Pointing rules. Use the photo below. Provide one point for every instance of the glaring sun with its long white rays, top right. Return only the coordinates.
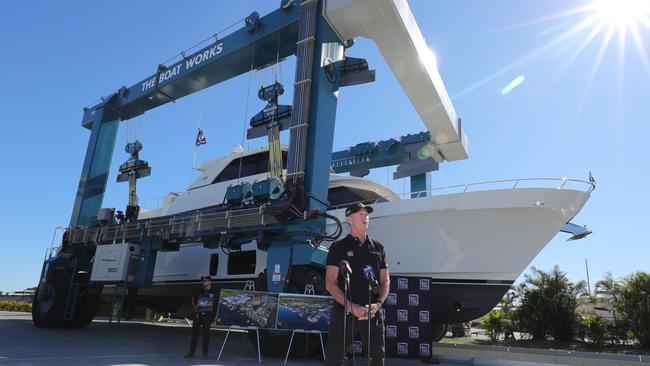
(596, 21)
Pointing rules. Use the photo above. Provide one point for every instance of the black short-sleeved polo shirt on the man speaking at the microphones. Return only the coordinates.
(370, 252)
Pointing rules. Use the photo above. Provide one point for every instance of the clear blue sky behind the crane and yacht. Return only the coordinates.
(573, 113)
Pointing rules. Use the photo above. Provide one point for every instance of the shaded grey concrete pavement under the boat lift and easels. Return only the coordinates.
(130, 343)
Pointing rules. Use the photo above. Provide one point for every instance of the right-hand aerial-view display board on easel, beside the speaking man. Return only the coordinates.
(306, 312)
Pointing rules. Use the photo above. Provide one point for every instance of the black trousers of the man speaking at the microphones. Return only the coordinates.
(336, 345)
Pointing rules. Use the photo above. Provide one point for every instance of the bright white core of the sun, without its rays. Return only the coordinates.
(622, 13)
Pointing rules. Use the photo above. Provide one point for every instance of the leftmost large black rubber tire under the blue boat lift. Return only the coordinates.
(47, 308)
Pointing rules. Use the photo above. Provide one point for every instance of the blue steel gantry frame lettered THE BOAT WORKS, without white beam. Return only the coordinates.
(321, 68)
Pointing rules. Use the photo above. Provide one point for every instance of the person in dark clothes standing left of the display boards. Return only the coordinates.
(204, 302)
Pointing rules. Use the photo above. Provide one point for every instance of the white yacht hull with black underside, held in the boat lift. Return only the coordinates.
(471, 246)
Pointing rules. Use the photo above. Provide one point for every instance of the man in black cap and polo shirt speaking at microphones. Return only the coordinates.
(360, 251)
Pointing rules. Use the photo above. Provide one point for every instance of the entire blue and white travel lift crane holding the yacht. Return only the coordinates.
(286, 215)
